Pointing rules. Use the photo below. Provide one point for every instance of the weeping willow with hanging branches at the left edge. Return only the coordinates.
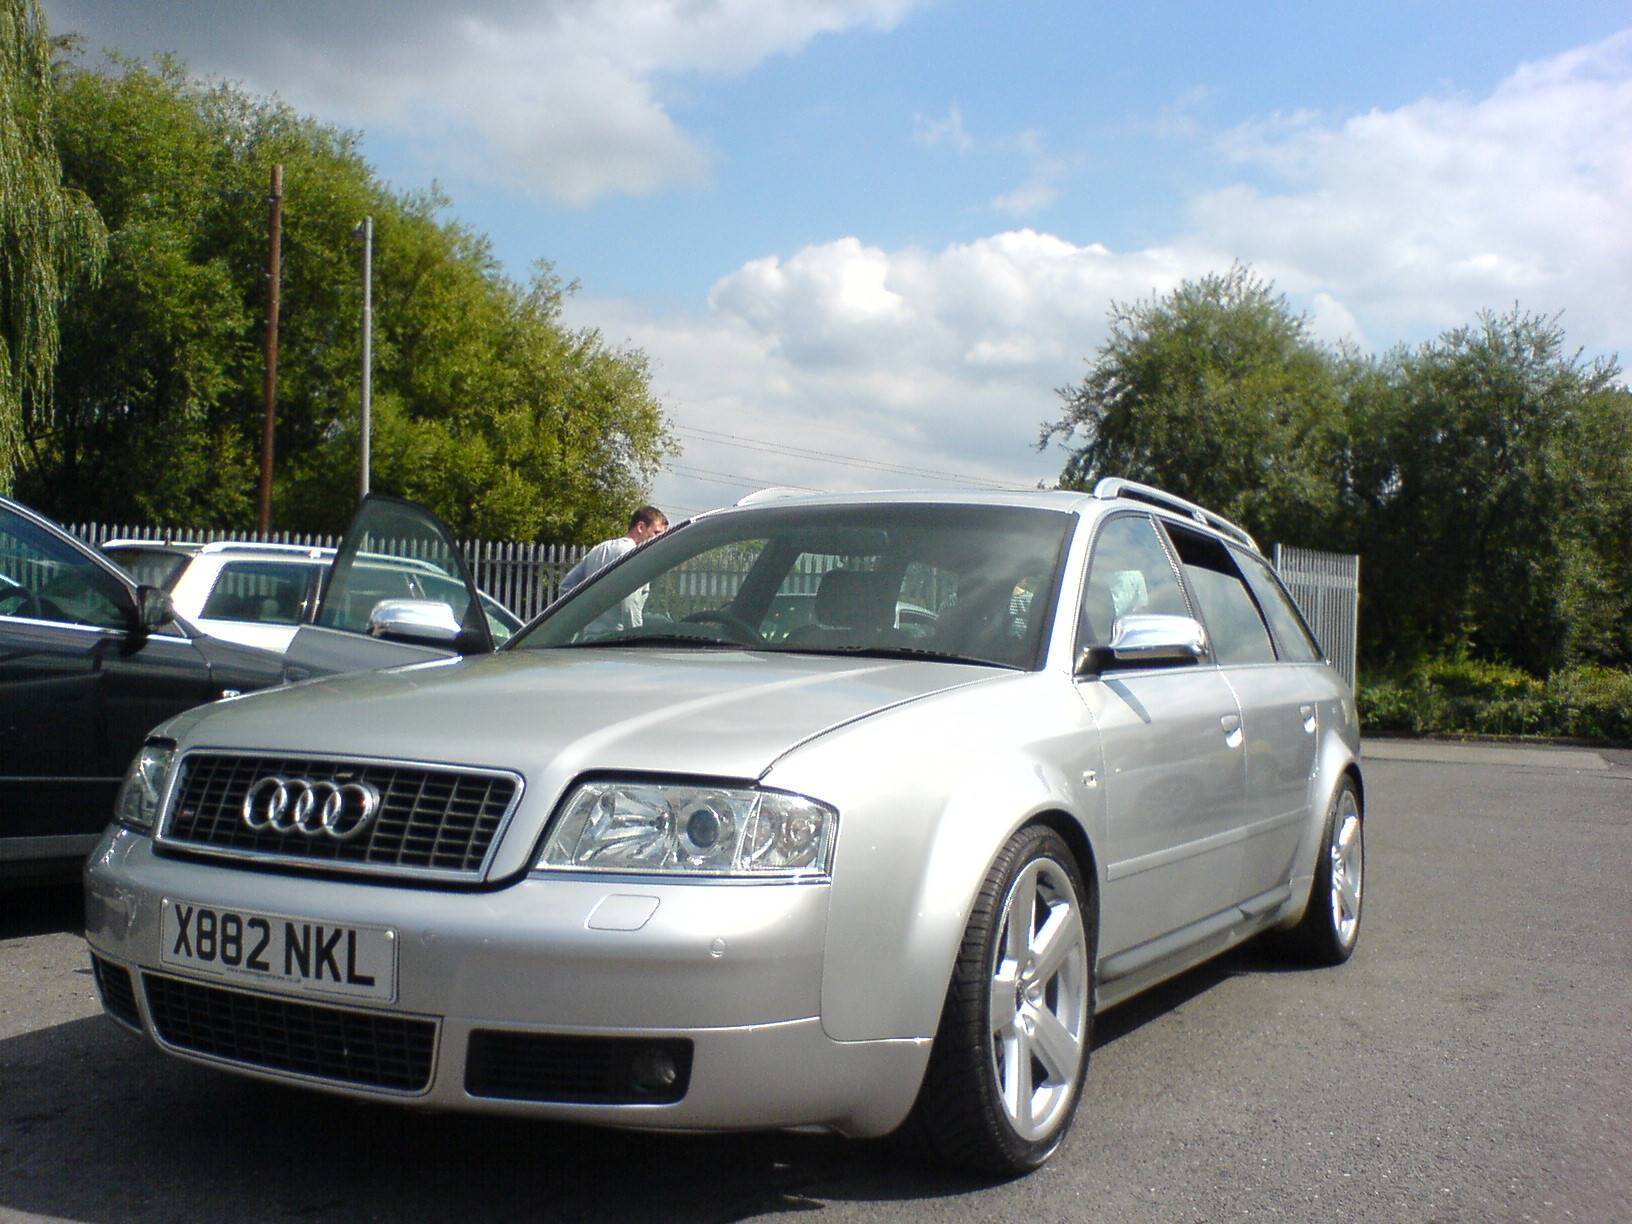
(50, 236)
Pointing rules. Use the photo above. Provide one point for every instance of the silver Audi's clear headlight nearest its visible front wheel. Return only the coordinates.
(678, 830)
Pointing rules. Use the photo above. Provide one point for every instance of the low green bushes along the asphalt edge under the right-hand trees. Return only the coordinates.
(1475, 698)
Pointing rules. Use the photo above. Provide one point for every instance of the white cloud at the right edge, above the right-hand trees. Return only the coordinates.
(1417, 218)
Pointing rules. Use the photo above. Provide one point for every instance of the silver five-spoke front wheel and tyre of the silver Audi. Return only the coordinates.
(1006, 1071)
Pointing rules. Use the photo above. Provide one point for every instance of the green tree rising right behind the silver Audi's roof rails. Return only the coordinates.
(1215, 392)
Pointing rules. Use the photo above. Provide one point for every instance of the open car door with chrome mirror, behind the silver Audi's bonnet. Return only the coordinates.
(399, 593)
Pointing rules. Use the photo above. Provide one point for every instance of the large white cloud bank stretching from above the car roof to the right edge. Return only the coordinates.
(1386, 226)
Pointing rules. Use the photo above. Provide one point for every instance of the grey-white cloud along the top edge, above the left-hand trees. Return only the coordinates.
(562, 99)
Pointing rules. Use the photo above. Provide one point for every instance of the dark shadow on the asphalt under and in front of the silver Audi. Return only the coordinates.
(95, 1125)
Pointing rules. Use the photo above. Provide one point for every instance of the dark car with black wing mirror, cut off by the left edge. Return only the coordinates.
(89, 662)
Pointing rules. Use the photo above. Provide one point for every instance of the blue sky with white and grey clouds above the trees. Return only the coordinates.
(864, 242)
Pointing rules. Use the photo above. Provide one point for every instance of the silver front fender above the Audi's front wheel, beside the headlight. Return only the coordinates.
(928, 797)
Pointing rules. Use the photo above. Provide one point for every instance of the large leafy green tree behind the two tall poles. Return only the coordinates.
(477, 383)
